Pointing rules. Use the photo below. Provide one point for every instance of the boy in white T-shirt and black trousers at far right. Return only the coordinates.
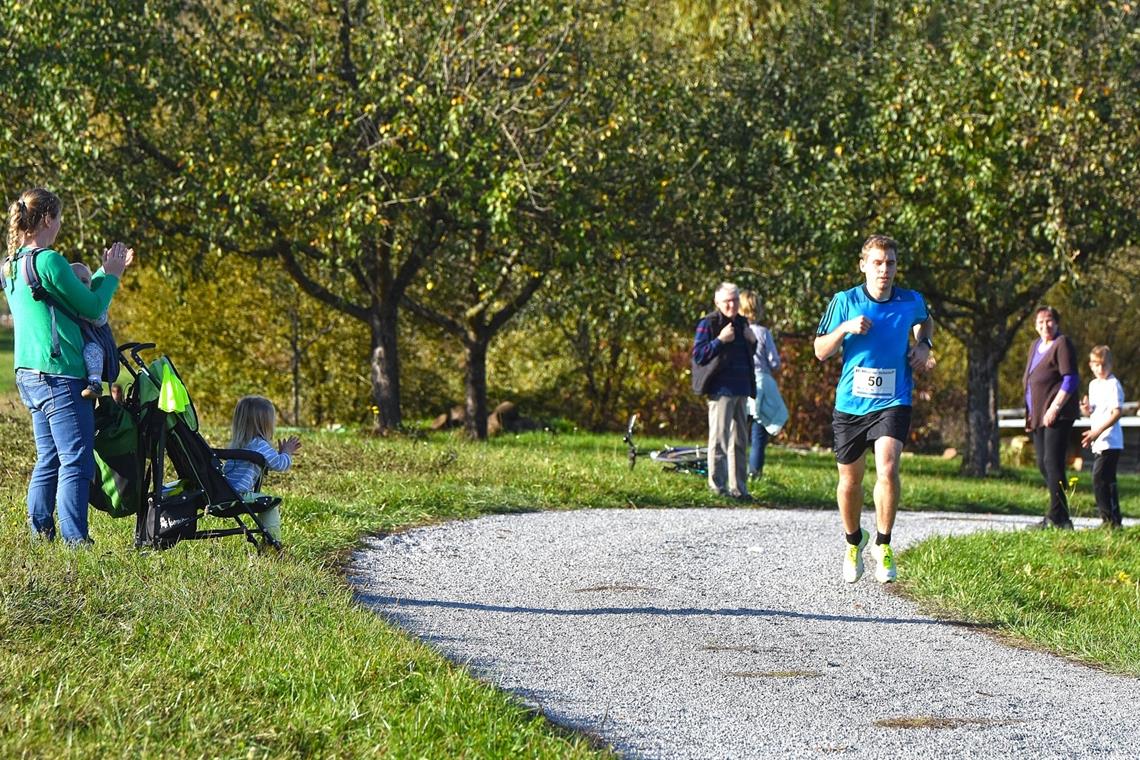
(1104, 404)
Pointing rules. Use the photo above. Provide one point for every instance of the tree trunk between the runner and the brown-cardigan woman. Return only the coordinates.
(982, 453)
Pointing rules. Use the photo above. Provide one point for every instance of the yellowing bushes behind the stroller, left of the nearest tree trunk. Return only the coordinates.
(248, 330)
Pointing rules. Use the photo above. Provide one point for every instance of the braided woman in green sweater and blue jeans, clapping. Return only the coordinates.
(50, 361)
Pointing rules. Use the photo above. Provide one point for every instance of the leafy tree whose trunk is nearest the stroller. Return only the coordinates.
(351, 146)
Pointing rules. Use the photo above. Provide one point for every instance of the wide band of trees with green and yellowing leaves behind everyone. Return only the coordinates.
(626, 156)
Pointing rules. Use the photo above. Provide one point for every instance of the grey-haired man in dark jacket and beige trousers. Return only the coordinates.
(723, 371)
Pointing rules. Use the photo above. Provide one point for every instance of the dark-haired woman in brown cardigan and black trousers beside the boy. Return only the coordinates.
(1052, 407)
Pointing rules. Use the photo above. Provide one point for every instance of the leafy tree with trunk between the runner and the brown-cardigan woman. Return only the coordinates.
(997, 151)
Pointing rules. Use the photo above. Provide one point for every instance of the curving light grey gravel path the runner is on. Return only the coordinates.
(729, 634)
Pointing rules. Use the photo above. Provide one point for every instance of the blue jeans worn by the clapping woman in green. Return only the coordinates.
(63, 423)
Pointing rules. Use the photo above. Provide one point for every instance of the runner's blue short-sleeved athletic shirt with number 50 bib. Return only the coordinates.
(876, 372)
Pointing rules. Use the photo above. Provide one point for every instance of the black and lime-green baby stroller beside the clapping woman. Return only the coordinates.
(168, 512)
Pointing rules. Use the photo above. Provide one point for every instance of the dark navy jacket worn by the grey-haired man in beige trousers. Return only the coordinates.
(723, 369)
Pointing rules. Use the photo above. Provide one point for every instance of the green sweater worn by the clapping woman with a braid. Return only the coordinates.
(34, 322)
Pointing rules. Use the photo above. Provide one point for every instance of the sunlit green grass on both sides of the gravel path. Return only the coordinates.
(213, 650)
